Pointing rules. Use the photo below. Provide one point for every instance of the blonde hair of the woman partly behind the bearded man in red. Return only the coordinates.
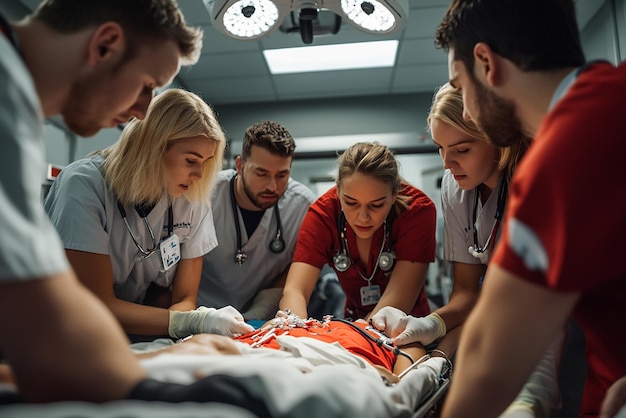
(447, 107)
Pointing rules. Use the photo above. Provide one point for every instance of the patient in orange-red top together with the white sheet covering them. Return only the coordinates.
(294, 366)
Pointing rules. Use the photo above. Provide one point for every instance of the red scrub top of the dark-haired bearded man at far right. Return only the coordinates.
(559, 236)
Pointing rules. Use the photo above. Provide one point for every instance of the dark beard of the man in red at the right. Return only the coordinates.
(497, 118)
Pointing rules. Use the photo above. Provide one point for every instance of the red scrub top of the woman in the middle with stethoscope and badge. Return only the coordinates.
(412, 238)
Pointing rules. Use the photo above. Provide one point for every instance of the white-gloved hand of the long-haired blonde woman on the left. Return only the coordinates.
(225, 321)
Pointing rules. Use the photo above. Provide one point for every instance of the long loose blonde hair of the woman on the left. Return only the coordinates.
(134, 166)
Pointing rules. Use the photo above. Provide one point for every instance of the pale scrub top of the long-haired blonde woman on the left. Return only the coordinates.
(84, 210)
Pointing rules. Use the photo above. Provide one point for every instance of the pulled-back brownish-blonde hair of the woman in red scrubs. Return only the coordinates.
(375, 160)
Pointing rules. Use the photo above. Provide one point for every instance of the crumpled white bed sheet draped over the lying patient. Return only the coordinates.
(308, 378)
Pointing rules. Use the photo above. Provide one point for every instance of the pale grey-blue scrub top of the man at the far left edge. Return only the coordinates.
(29, 245)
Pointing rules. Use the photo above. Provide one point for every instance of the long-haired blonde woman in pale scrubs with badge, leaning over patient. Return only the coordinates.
(135, 219)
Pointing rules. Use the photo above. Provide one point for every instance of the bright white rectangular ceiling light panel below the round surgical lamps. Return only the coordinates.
(376, 54)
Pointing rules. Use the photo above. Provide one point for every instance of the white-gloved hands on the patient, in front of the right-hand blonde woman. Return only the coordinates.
(405, 329)
